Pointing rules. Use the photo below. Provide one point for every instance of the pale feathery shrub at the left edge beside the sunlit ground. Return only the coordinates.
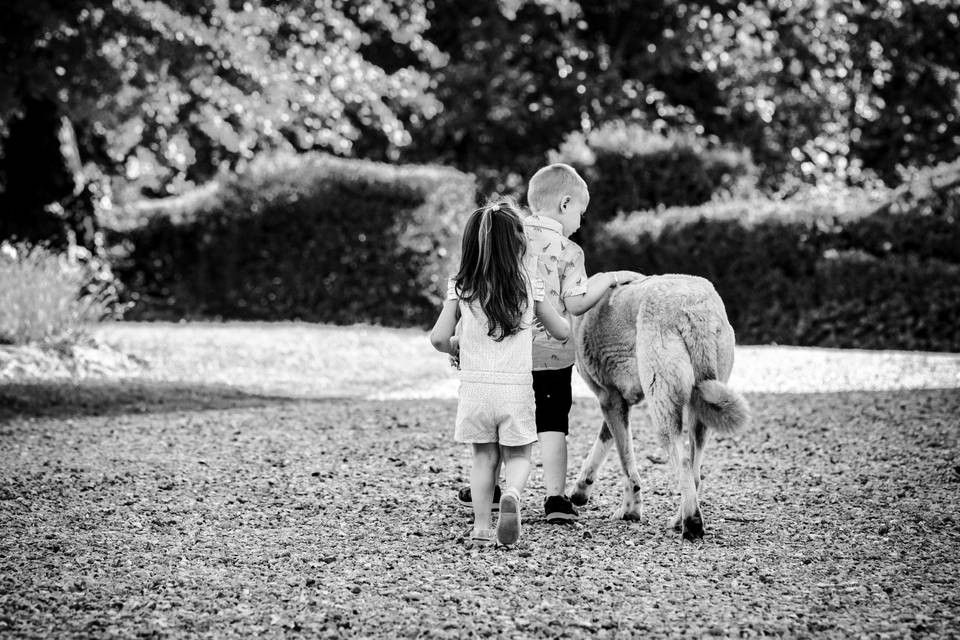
(47, 297)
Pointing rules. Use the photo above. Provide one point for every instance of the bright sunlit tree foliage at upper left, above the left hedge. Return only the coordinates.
(166, 92)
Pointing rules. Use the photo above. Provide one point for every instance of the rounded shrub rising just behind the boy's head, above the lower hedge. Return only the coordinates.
(629, 168)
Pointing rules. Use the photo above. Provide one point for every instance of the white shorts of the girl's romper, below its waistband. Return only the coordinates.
(502, 413)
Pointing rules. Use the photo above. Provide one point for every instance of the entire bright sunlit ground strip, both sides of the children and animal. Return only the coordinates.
(302, 360)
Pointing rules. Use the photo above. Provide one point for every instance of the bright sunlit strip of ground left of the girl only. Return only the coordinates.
(298, 360)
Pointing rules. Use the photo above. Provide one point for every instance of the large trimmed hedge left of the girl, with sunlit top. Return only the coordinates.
(313, 237)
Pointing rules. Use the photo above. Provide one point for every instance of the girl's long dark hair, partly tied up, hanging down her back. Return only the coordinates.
(491, 269)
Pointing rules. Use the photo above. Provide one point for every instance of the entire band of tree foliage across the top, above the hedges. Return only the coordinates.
(163, 93)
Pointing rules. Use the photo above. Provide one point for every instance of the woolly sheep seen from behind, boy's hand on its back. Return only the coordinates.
(666, 339)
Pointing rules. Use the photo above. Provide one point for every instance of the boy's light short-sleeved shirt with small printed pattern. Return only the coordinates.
(561, 267)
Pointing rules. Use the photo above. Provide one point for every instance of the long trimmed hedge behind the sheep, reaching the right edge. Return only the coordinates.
(817, 270)
